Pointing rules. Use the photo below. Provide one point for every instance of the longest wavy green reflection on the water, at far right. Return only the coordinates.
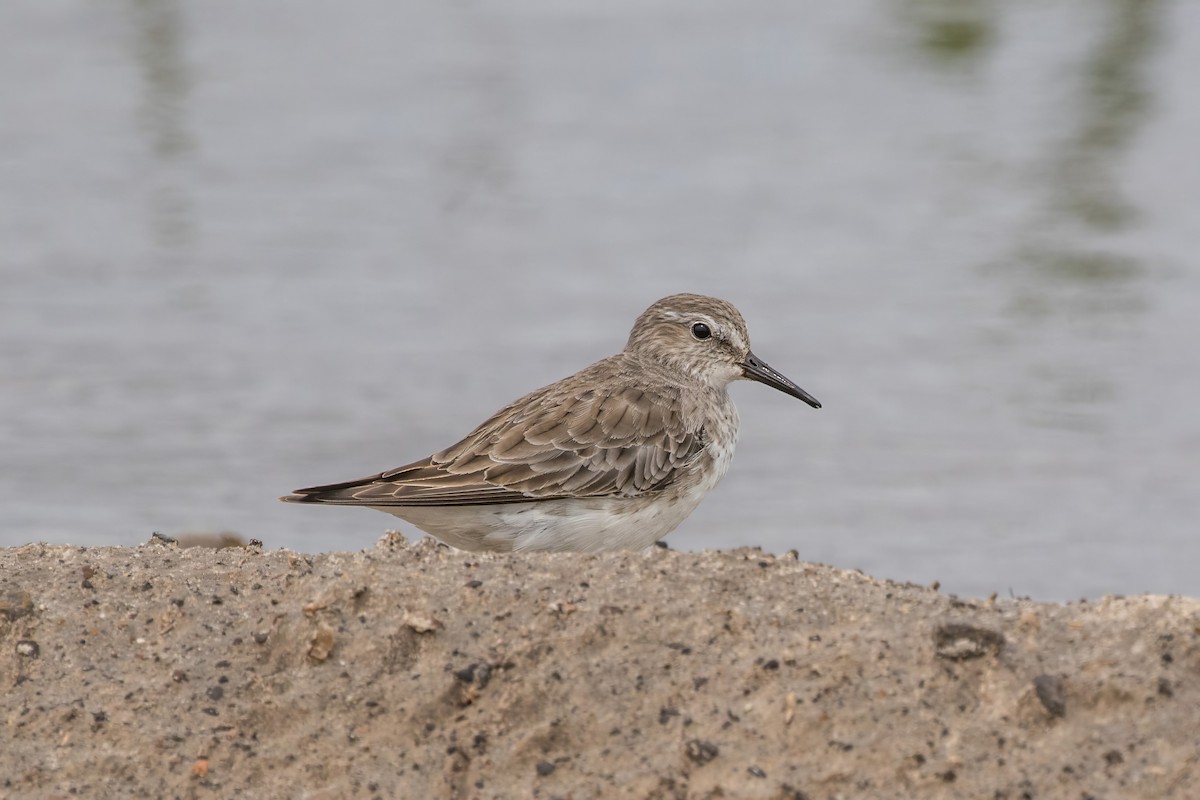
(1075, 290)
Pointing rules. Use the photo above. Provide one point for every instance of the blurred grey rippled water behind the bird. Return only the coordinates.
(253, 246)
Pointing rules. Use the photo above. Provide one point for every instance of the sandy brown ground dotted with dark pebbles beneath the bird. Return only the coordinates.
(412, 671)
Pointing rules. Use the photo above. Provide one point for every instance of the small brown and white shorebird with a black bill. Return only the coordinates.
(614, 458)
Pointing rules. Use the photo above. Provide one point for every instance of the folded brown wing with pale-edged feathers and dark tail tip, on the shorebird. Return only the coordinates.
(578, 438)
